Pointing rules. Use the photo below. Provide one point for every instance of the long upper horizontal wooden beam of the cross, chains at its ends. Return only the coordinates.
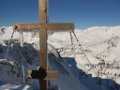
(48, 26)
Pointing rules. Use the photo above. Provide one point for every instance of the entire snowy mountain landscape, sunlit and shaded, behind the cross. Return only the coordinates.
(96, 53)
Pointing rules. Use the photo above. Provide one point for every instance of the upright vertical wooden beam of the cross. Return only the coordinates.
(43, 40)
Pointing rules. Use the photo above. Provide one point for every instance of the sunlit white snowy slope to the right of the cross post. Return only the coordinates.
(100, 47)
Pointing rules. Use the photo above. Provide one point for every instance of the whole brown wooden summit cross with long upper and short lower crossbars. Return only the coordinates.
(43, 27)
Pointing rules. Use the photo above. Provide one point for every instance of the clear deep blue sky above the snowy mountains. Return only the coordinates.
(83, 13)
